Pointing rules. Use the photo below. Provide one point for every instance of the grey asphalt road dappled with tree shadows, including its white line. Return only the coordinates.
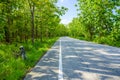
(72, 59)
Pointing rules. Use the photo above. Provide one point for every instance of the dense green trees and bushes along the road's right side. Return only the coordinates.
(98, 21)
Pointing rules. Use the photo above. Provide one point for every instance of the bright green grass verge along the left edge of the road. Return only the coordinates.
(12, 67)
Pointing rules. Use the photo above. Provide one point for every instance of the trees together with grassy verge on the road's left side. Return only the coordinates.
(33, 24)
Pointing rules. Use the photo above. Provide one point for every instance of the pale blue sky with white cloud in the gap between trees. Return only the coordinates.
(72, 10)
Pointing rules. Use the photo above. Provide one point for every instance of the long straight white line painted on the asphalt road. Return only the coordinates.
(60, 76)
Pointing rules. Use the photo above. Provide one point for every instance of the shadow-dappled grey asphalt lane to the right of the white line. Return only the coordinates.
(90, 60)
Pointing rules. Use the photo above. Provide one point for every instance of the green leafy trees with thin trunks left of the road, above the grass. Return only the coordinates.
(21, 20)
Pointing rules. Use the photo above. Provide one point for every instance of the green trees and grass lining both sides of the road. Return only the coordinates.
(35, 24)
